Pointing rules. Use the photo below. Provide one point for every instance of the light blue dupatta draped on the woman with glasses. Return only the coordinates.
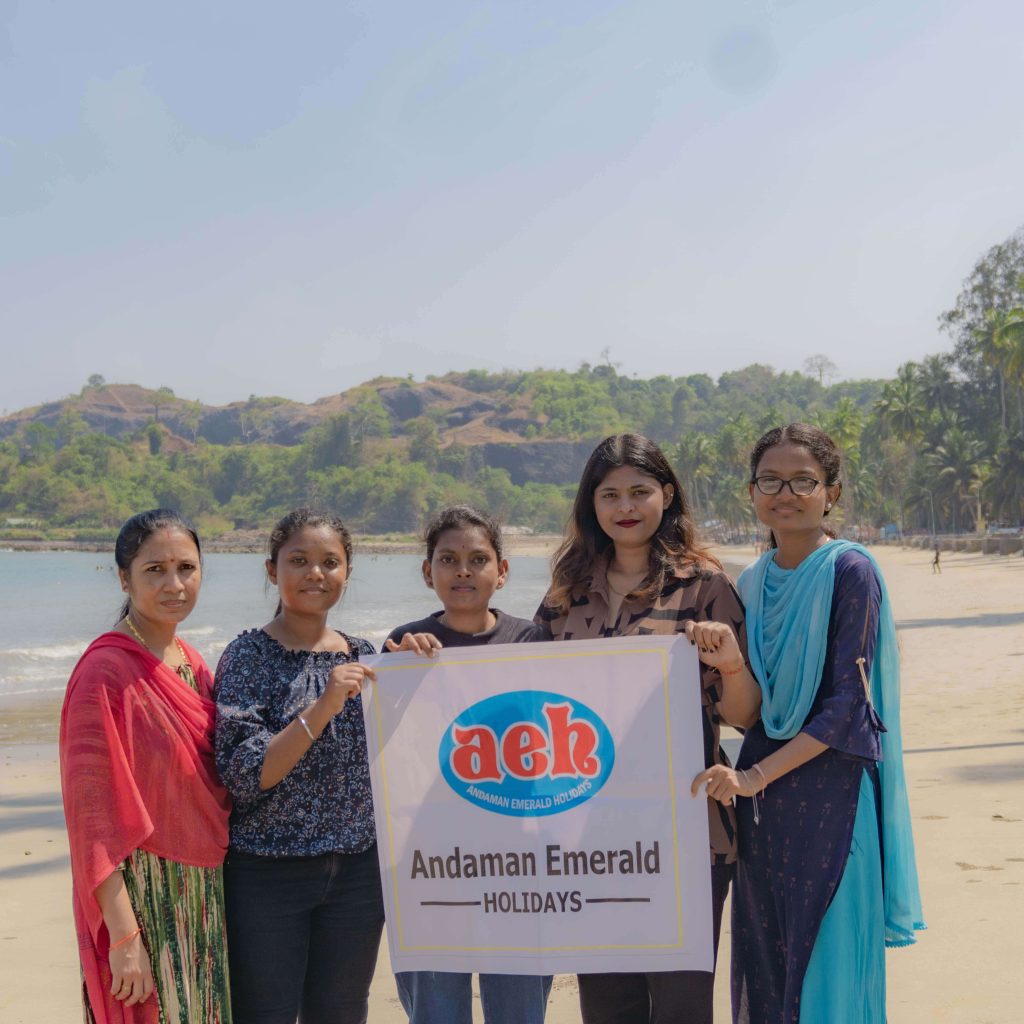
(788, 634)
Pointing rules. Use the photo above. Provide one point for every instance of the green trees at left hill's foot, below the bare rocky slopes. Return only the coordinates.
(84, 480)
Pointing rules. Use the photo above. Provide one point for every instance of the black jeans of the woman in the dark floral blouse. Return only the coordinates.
(303, 936)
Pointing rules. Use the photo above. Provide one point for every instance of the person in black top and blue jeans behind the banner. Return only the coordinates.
(465, 567)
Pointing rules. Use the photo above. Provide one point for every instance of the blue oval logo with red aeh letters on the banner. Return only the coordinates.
(528, 753)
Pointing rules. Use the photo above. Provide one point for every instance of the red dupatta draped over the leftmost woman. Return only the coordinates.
(138, 772)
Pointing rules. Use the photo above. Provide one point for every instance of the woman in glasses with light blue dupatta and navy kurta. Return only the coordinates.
(816, 902)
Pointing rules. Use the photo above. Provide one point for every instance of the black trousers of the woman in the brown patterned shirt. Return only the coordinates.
(662, 997)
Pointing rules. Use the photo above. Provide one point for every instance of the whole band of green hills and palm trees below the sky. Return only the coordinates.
(941, 447)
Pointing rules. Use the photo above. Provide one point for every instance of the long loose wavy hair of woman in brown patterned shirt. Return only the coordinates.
(674, 541)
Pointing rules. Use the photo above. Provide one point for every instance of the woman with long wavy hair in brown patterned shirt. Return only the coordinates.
(630, 566)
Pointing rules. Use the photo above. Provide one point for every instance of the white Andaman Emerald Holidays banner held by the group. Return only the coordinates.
(534, 809)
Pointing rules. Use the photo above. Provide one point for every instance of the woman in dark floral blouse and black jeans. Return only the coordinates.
(303, 885)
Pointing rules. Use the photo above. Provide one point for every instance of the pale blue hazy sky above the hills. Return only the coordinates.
(253, 198)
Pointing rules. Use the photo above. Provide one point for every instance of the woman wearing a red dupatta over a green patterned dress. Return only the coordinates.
(147, 815)
